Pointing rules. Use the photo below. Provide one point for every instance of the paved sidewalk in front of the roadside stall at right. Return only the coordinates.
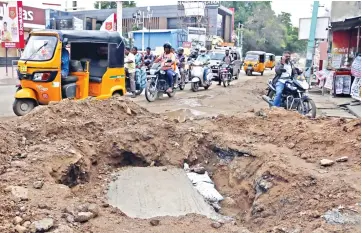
(335, 107)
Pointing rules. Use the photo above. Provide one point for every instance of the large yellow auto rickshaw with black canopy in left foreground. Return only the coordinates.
(96, 67)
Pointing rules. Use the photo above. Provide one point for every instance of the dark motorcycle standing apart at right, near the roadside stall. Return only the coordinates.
(294, 96)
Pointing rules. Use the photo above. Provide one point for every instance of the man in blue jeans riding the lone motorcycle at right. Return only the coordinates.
(284, 71)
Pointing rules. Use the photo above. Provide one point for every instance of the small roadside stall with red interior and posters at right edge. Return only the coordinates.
(344, 59)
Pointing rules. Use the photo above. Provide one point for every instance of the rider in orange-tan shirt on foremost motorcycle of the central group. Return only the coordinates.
(167, 66)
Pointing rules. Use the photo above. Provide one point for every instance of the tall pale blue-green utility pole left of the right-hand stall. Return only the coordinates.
(311, 41)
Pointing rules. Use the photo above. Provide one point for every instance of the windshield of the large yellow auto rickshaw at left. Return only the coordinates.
(39, 48)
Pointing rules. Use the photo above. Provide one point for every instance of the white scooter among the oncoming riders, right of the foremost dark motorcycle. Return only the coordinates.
(197, 76)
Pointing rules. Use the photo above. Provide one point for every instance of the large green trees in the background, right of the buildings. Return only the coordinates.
(263, 30)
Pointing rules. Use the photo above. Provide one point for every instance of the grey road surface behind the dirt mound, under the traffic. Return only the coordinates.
(242, 95)
